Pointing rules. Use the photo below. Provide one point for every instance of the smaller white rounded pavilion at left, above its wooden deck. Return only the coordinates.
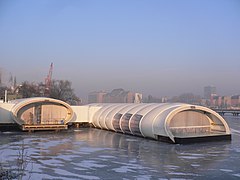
(41, 110)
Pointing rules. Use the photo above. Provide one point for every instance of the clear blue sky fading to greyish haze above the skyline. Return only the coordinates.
(156, 47)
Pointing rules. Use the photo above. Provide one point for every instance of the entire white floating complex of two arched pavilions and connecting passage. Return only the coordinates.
(173, 122)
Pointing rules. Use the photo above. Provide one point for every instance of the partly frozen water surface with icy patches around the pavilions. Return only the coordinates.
(99, 154)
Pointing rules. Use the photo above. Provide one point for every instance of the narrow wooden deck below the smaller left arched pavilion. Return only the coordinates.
(42, 127)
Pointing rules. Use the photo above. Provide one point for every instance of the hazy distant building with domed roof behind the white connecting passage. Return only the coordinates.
(115, 96)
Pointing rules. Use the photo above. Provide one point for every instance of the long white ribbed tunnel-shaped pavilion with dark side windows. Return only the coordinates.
(160, 121)
